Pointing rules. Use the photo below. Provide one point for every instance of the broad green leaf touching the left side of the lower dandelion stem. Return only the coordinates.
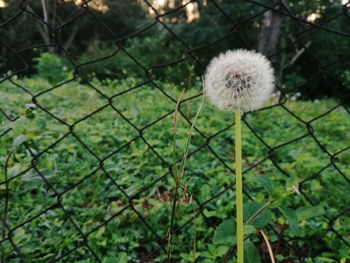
(226, 233)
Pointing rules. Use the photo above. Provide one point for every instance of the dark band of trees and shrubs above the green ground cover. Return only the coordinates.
(312, 60)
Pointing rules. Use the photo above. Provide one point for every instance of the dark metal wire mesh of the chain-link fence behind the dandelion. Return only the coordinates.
(159, 243)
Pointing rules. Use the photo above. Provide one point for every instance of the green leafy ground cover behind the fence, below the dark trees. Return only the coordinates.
(94, 199)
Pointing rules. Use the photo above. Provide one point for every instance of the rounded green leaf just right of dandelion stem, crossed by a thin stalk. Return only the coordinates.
(260, 220)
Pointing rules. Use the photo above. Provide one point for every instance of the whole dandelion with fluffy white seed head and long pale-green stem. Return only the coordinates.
(239, 81)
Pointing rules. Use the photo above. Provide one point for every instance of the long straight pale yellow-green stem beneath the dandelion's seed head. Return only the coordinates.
(239, 187)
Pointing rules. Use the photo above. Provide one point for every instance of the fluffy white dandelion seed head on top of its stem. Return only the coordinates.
(239, 80)
